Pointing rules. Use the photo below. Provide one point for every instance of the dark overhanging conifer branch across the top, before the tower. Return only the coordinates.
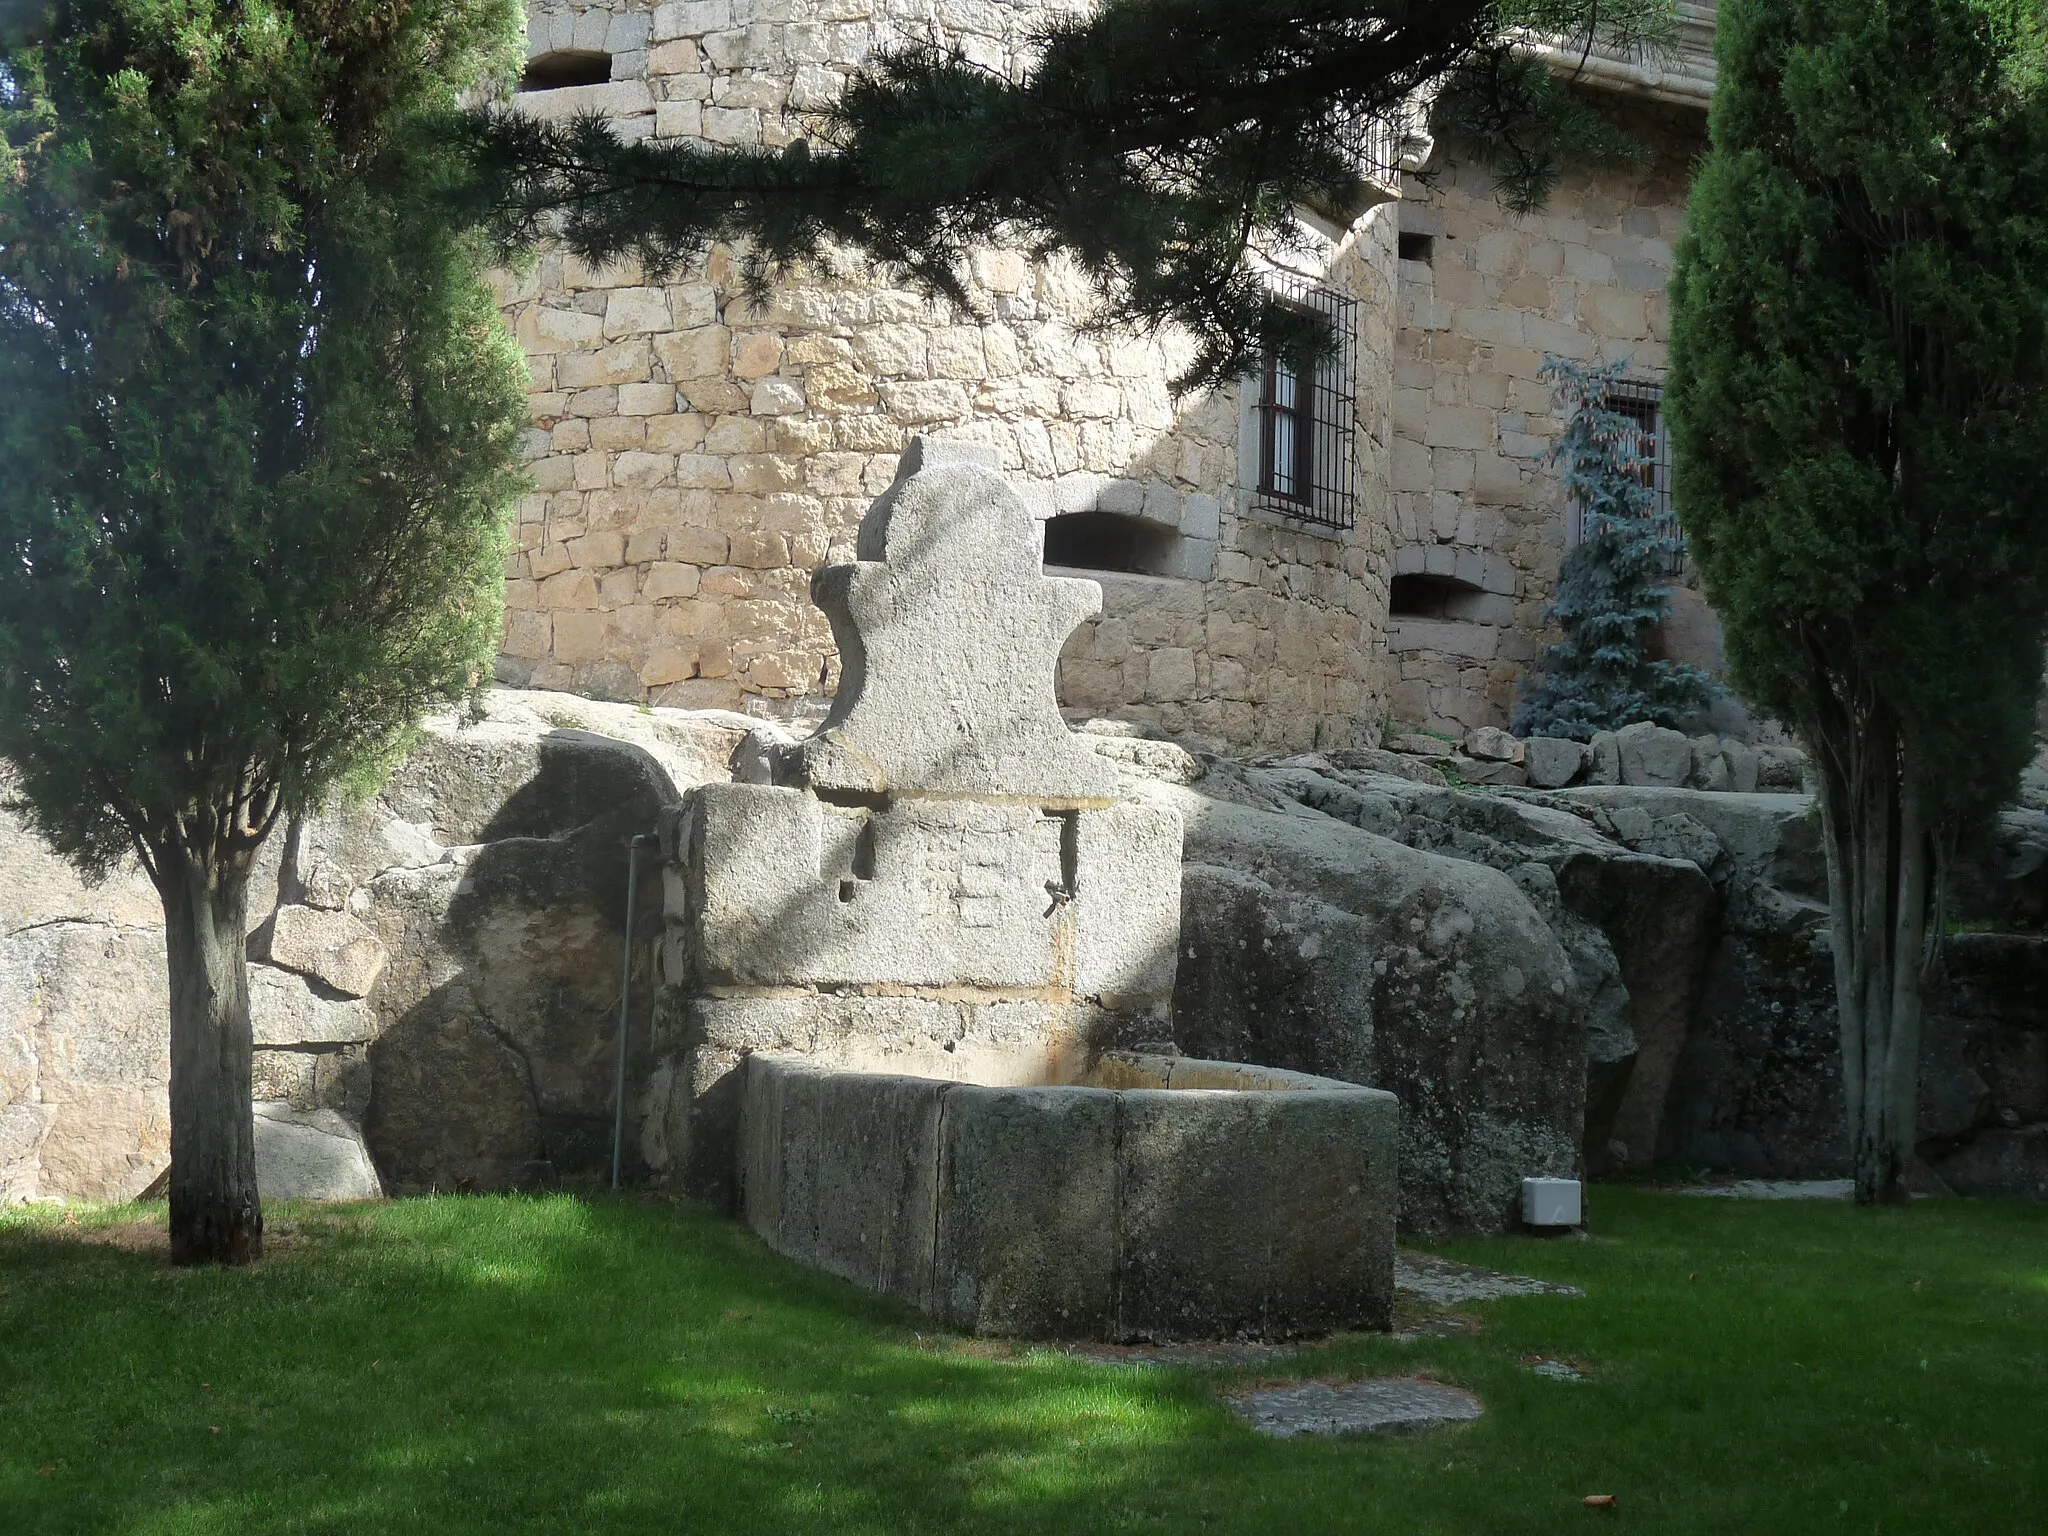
(1152, 142)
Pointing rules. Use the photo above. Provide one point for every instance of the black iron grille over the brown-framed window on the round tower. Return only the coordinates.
(1308, 425)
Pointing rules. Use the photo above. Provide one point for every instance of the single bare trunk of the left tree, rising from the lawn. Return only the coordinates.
(214, 1209)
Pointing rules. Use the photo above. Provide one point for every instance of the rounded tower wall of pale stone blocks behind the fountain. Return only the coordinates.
(695, 458)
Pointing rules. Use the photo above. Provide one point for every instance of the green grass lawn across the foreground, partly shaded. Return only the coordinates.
(490, 1365)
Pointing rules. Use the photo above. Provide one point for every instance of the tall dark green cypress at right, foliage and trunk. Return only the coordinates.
(1859, 386)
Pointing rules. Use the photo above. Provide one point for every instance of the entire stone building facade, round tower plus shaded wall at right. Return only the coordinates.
(1285, 564)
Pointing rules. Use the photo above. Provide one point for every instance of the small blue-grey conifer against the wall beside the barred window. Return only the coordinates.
(1613, 587)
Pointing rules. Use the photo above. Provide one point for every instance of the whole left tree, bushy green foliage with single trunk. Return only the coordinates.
(259, 435)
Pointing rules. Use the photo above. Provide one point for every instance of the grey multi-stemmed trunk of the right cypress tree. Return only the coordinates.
(1879, 876)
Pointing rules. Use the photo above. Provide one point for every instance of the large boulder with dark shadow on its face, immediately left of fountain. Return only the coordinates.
(495, 869)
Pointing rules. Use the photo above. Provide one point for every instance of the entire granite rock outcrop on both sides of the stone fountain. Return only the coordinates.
(1549, 980)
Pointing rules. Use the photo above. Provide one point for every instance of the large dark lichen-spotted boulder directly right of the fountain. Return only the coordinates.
(1326, 949)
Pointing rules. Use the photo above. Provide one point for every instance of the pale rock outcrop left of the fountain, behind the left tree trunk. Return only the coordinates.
(435, 972)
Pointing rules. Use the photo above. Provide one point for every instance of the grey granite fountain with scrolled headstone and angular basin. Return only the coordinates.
(921, 974)
